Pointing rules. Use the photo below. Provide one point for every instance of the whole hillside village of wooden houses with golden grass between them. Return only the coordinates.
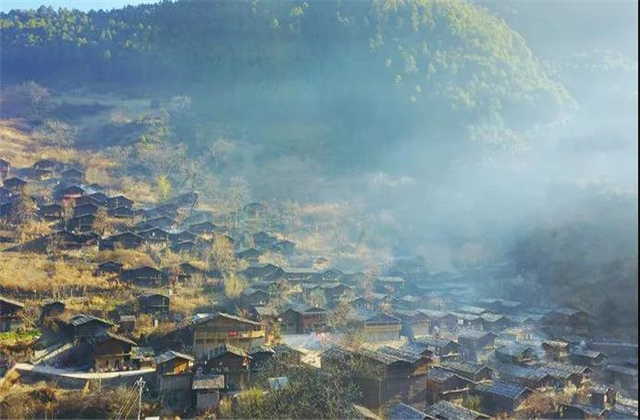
(417, 345)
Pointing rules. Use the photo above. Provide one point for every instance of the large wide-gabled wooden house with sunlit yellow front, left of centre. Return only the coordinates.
(212, 331)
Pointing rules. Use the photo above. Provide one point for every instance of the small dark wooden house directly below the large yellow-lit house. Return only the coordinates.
(232, 362)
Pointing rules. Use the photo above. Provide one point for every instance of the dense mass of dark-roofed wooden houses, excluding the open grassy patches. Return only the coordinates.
(428, 344)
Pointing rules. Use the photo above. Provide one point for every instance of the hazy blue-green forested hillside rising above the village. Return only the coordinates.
(373, 71)
